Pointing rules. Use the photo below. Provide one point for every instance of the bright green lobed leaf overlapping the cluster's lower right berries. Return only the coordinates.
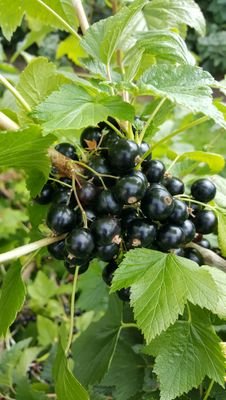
(161, 284)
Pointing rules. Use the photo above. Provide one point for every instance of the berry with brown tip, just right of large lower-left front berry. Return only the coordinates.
(106, 230)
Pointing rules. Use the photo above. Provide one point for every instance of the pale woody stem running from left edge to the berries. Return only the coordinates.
(28, 248)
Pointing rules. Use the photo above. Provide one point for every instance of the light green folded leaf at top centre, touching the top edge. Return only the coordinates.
(104, 37)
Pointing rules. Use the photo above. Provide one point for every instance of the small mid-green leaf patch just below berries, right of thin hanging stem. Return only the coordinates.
(94, 295)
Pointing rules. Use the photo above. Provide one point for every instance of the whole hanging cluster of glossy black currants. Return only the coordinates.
(125, 201)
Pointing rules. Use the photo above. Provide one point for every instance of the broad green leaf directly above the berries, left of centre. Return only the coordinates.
(73, 107)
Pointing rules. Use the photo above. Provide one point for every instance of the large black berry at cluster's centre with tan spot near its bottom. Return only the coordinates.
(130, 189)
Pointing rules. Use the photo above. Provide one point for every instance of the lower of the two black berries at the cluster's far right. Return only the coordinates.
(205, 222)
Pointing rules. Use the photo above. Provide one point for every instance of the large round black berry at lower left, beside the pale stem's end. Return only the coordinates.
(80, 243)
